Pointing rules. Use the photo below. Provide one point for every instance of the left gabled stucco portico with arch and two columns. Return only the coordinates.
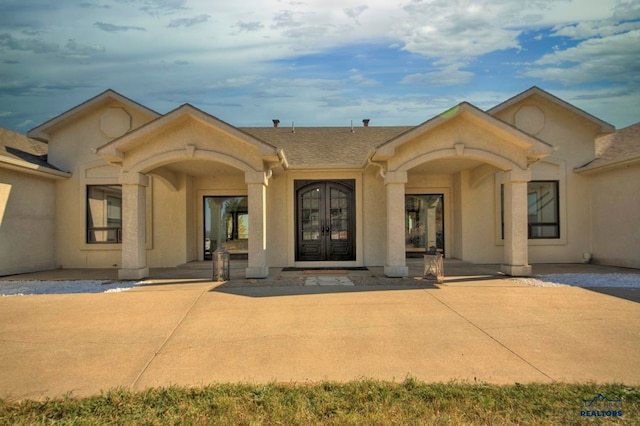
(177, 149)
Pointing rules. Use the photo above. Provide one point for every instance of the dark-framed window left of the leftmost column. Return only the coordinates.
(104, 214)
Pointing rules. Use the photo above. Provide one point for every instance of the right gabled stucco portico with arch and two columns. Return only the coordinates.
(466, 145)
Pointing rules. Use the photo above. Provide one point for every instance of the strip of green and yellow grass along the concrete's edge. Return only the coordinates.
(364, 402)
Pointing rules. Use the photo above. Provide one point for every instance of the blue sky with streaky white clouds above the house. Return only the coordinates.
(317, 62)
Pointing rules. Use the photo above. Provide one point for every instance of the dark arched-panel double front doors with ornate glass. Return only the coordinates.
(325, 223)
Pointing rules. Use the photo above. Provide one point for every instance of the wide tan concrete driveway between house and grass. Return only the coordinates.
(190, 331)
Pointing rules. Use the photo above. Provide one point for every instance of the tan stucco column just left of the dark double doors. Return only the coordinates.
(257, 197)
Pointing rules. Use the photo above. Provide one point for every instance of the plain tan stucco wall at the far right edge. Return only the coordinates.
(615, 208)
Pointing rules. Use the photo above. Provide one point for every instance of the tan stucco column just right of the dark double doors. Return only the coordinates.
(396, 265)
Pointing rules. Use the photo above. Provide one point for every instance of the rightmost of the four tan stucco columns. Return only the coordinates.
(516, 244)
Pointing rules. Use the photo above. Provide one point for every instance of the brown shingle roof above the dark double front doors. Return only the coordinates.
(331, 147)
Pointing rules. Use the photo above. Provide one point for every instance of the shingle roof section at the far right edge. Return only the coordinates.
(618, 147)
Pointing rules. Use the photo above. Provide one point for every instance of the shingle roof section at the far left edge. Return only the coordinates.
(15, 146)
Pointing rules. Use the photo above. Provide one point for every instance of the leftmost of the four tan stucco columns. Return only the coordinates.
(134, 247)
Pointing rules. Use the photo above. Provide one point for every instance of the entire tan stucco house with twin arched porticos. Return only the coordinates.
(112, 183)
